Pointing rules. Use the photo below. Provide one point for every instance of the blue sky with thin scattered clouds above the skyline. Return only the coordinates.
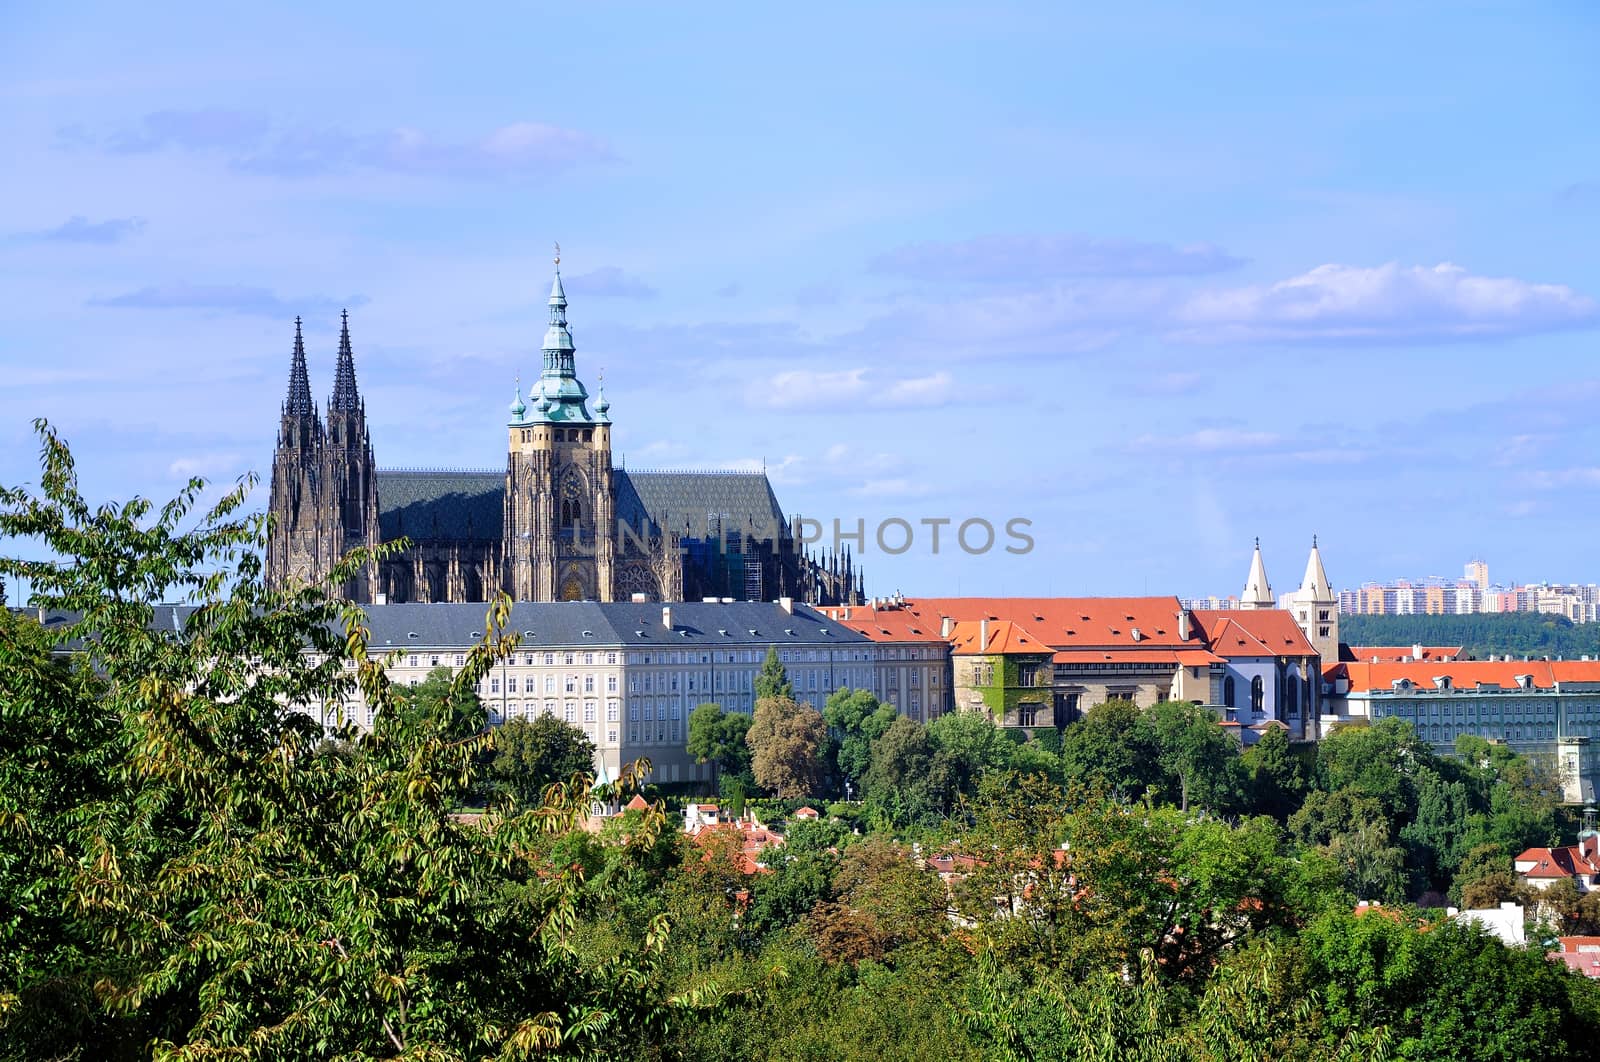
(1154, 279)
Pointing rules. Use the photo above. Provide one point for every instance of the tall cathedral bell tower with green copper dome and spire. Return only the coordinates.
(561, 506)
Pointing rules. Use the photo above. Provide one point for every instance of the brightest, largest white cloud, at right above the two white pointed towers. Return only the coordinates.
(1383, 303)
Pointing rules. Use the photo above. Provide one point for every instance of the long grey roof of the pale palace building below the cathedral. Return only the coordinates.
(614, 625)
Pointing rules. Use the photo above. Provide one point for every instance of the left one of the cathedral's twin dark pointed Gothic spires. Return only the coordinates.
(295, 545)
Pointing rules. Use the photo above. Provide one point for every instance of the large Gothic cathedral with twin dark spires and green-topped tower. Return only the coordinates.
(561, 524)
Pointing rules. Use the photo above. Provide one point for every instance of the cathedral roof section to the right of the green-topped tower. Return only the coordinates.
(684, 501)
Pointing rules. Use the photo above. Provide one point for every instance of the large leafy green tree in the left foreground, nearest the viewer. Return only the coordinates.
(233, 890)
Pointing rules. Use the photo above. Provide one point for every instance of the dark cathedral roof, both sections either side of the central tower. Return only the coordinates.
(471, 506)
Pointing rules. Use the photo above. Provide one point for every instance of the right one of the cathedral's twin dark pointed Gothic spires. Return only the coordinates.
(350, 481)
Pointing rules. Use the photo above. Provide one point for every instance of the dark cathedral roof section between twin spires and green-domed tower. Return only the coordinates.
(468, 506)
